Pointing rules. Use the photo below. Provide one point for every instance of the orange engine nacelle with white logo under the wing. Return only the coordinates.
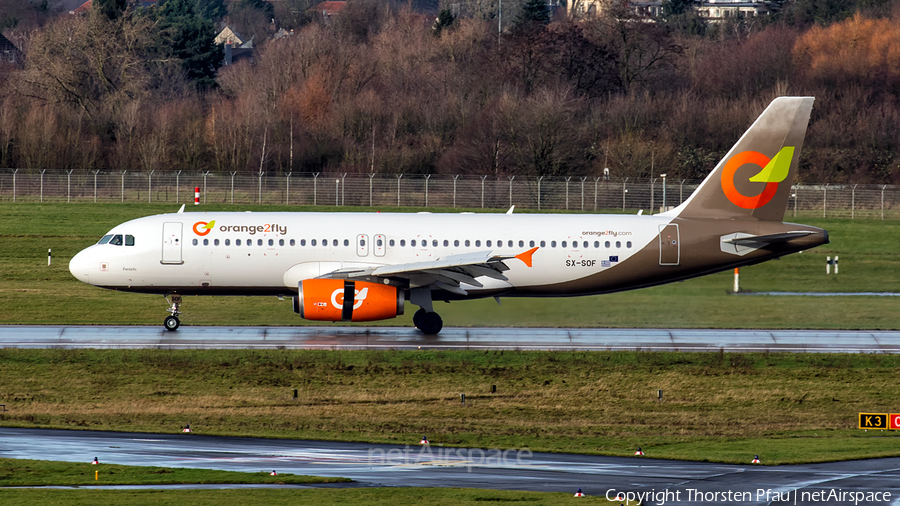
(336, 300)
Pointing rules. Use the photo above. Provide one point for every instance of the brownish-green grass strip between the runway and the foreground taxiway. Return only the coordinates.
(787, 408)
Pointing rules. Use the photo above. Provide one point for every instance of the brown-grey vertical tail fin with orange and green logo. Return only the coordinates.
(754, 179)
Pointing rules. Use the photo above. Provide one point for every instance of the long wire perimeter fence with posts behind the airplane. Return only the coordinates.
(588, 194)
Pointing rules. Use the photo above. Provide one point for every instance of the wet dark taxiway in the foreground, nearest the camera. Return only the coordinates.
(436, 466)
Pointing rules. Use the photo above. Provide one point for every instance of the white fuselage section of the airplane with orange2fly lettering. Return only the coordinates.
(269, 253)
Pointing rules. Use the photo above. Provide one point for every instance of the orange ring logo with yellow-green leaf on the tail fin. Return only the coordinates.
(774, 171)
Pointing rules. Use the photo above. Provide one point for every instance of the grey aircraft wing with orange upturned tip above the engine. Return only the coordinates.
(445, 273)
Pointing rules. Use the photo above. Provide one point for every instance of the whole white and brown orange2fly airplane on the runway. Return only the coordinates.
(364, 266)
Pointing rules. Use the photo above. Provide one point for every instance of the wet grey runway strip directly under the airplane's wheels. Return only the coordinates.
(407, 338)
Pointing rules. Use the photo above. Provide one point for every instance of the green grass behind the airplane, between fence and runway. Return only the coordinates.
(32, 293)
